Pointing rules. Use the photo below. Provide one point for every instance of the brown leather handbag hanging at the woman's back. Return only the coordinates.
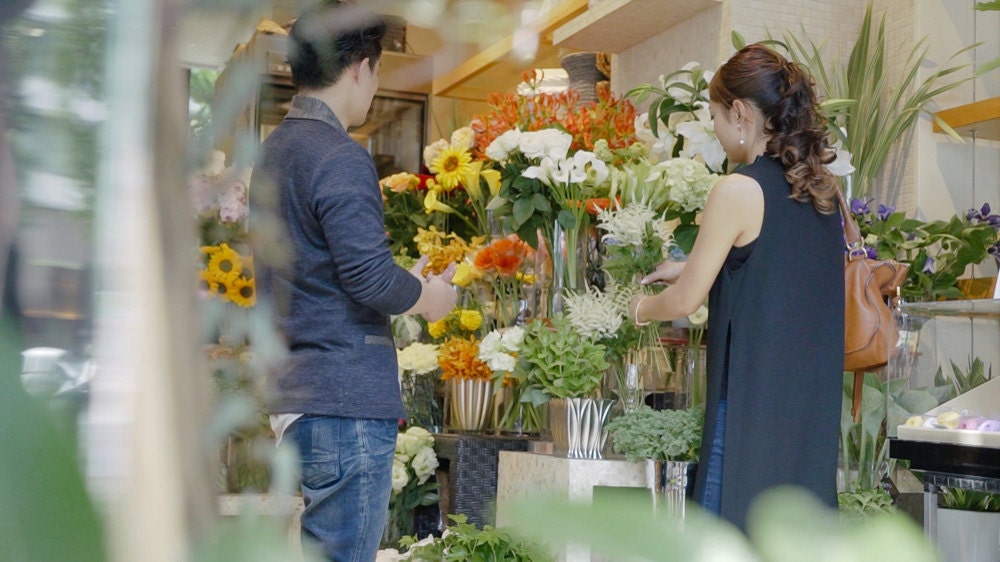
(869, 288)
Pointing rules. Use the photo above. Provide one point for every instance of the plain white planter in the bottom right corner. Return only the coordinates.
(968, 536)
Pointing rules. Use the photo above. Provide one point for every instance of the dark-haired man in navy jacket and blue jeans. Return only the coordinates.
(338, 399)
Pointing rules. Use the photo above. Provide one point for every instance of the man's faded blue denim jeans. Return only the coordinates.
(346, 482)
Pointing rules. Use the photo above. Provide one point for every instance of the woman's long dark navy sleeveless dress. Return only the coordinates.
(775, 345)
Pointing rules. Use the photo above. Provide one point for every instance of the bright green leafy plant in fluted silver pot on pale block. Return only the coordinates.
(561, 366)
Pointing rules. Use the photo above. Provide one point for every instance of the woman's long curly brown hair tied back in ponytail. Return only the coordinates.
(784, 93)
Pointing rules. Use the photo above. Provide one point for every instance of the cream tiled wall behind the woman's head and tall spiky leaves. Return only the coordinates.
(929, 175)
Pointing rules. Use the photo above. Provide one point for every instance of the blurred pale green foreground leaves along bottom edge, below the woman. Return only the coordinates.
(785, 525)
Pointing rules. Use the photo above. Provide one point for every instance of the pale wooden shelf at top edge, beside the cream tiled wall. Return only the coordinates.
(615, 25)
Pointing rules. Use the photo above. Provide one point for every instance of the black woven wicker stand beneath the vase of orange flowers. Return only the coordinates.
(468, 473)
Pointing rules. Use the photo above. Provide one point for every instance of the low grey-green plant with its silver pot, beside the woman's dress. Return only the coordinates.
(668, 441)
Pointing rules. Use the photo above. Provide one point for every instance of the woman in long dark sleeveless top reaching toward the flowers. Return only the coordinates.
(769, 257)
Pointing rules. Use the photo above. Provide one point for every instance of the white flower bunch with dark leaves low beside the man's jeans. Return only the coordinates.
(412, 486)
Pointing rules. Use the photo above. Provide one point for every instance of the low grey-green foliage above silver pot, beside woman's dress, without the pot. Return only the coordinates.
(646, 433)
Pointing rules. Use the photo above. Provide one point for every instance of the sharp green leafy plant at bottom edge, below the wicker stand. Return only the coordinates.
(464, 542)
